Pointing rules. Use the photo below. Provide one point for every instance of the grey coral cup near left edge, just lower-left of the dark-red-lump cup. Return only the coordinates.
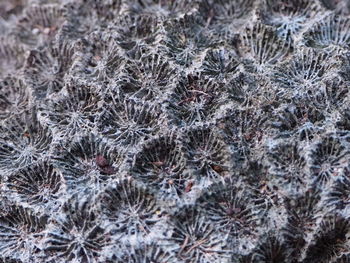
(38, 185)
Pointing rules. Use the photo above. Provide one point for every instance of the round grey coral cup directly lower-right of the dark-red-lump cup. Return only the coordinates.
(130, 209)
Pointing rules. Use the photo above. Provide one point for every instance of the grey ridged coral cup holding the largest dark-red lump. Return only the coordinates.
(87, 162)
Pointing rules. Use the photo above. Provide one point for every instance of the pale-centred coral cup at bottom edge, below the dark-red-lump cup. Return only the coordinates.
(76, 235)
